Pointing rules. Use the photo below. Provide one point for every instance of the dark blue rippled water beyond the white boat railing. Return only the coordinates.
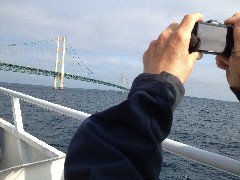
(208, 124)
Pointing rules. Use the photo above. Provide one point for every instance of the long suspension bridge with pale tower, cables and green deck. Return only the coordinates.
(40, 57)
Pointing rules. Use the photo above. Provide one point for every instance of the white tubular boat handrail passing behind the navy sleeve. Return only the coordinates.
(226, 164)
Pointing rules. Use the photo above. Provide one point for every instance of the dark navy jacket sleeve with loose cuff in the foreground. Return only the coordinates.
(124, 142)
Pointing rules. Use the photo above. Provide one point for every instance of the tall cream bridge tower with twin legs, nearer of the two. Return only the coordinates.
(60, 55)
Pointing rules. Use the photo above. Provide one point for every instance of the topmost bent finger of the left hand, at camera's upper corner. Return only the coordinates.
(189, 21)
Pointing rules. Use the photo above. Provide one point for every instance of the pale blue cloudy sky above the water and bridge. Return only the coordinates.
(111, 35)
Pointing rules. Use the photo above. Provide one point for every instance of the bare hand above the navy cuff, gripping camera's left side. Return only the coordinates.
(170, 51)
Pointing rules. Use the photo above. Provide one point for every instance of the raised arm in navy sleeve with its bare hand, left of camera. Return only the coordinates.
(124, 141)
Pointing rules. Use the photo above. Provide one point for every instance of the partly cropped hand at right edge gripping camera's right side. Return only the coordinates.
(232, 64)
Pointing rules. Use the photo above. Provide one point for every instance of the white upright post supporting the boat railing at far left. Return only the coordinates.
(17, 116)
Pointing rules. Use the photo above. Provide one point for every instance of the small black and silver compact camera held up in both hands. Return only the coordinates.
(212, 37)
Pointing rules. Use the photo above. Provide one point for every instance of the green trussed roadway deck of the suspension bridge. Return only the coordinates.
(30, 70)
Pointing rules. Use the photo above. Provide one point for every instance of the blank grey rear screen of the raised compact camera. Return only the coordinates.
(213, 38)
